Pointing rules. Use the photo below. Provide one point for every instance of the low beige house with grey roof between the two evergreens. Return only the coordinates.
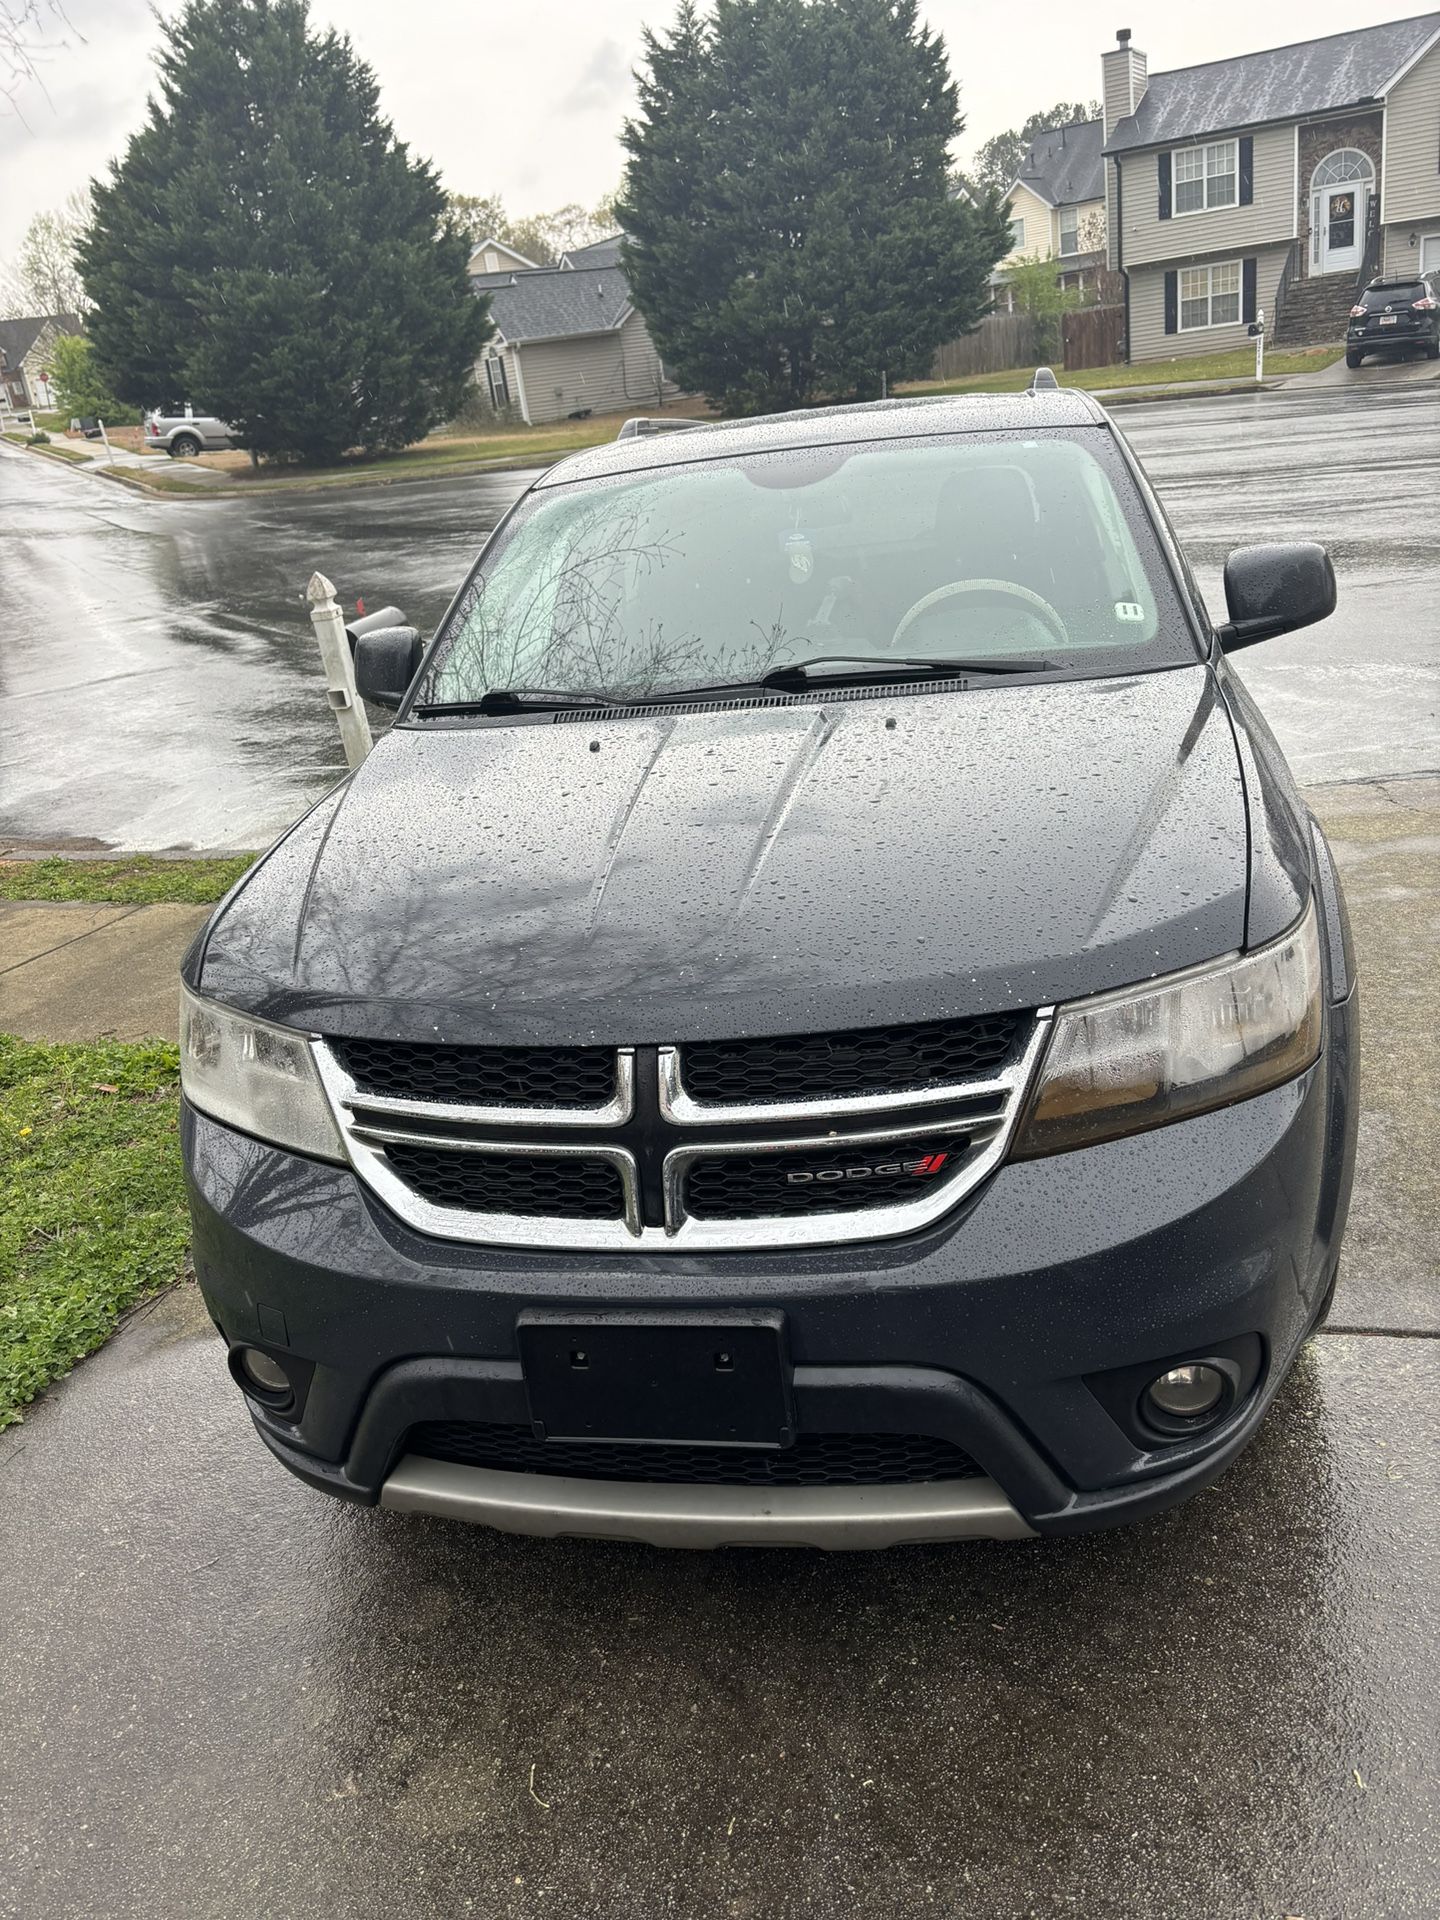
(567, 341)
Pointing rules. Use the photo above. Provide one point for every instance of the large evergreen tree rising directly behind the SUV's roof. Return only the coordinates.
(792, 228)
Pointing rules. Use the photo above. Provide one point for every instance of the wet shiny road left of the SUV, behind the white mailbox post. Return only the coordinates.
(158, 681)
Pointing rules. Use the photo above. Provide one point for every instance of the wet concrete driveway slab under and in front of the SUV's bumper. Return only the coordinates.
(228, 1696)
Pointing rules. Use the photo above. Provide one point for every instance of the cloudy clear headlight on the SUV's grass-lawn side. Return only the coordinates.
(256, 1078)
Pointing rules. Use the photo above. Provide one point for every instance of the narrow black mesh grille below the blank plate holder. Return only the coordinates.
(815, 1460)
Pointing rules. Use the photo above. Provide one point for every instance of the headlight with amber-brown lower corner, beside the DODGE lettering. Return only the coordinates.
(1184, 1045)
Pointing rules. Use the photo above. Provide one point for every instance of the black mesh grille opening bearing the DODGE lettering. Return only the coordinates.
(771, 1186)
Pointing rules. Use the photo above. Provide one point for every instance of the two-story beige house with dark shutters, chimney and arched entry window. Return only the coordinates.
(1274, 183)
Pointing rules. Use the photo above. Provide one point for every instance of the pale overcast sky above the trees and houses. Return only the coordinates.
(527, 101)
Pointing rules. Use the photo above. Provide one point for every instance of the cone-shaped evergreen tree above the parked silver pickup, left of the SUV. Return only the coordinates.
(268, 249)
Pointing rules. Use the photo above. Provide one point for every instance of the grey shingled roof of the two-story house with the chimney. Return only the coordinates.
(1280, 85)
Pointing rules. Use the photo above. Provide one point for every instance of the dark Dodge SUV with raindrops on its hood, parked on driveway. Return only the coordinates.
(825, 1020)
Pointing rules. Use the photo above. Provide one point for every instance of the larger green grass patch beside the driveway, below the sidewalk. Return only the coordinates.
(91, 1201)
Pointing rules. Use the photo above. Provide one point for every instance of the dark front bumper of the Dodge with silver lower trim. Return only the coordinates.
(990, 1330)
